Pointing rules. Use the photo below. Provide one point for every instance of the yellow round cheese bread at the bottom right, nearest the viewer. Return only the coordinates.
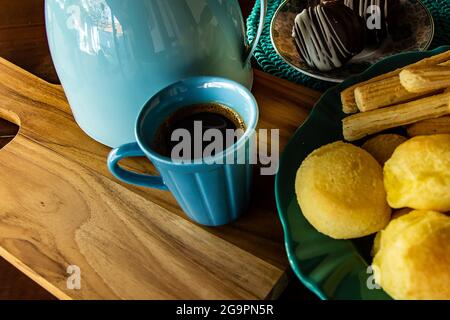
(412, 257)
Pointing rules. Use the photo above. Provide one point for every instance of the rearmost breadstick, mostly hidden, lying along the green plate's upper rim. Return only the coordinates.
(348, 95)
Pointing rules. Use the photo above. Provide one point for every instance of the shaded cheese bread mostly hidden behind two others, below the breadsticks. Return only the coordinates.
(382, 147)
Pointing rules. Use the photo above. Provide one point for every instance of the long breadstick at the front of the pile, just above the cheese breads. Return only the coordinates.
(359, 125)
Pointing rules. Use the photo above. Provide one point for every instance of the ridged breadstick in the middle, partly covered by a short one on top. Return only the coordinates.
(383, 93)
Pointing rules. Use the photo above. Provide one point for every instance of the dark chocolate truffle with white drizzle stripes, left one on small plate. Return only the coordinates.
(328, 35)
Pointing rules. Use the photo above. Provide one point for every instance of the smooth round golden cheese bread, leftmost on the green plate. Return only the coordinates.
(340, 190)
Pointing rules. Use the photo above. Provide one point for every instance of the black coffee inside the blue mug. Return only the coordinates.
(197, 119)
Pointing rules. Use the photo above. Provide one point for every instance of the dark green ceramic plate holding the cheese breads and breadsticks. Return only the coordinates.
(332, 269)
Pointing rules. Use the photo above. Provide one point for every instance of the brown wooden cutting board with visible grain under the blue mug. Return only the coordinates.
(59, 207)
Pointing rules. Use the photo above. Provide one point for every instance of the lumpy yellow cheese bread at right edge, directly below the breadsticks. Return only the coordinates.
(418, 174)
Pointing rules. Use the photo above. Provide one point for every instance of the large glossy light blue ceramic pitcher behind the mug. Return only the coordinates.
(113, 55)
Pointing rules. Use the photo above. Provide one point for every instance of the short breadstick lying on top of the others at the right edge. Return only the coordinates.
(419, 80)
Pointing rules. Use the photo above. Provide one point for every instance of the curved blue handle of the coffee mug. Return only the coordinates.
(127, 151)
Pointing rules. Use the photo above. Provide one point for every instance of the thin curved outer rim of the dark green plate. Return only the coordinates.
(309, 283)
